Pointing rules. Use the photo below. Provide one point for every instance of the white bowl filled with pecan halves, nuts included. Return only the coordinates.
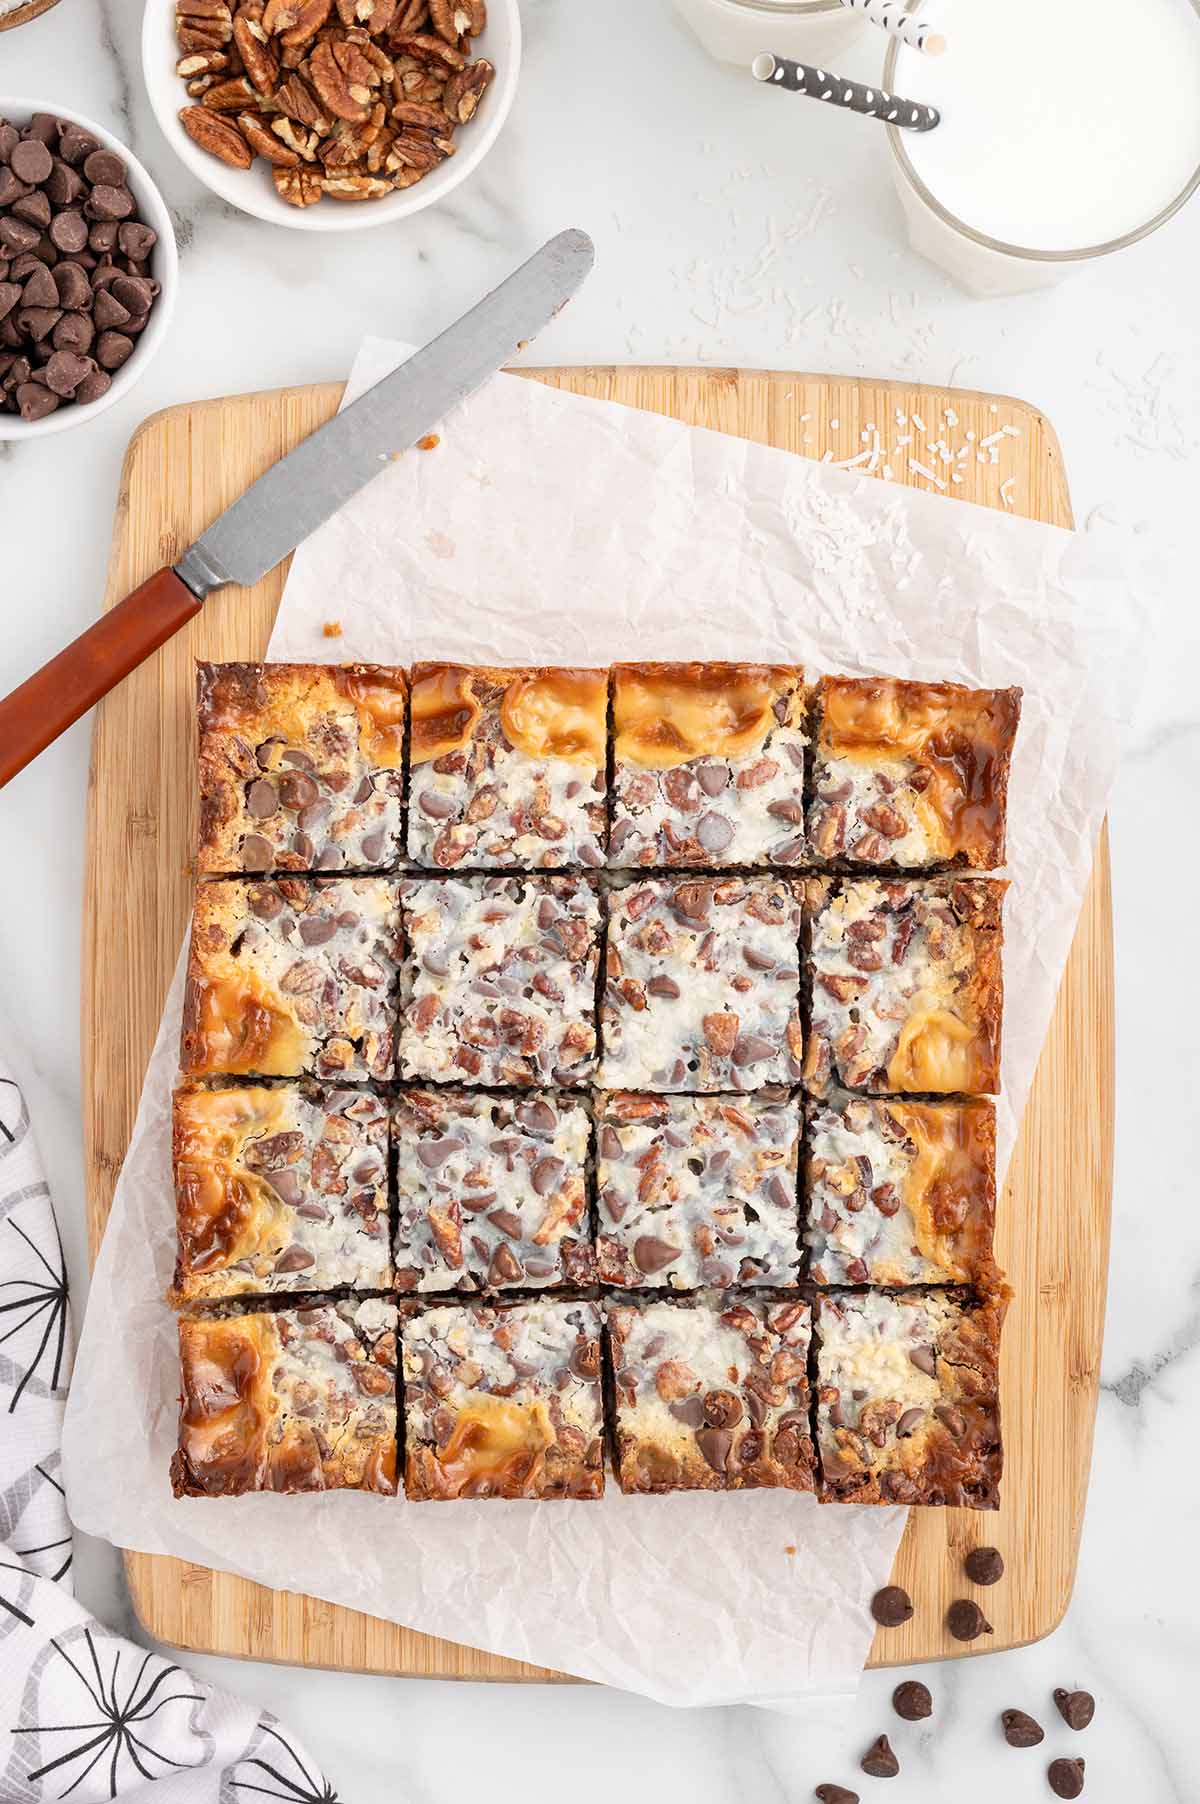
(331, 115)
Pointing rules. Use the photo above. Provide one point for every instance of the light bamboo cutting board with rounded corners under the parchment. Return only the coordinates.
(183, 468)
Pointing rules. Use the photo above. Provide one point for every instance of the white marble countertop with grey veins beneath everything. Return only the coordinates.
(730, 230)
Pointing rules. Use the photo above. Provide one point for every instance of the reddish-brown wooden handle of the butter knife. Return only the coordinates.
(91, 667)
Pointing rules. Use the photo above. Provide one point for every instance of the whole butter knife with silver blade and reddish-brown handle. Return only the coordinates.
(295, 497)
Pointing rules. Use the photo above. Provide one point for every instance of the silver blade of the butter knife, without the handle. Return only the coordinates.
(299, 493)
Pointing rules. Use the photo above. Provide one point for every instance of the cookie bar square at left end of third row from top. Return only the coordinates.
(281, 1190)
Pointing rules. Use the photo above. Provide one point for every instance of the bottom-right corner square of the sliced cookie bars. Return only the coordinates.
(909, 1404)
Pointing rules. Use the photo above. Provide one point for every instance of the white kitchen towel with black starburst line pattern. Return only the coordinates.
(84, 1713)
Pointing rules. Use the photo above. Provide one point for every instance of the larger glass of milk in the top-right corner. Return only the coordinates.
(1069, 129)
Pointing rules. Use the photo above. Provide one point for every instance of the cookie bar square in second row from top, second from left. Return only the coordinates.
(501, 980)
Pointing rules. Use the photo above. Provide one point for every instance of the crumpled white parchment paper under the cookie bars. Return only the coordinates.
(555, 529)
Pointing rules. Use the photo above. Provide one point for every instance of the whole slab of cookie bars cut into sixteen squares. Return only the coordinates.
(566, 1029)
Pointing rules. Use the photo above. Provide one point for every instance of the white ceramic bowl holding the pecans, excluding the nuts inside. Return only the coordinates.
(254, 192)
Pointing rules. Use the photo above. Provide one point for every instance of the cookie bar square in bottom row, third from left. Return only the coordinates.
(712, 1397)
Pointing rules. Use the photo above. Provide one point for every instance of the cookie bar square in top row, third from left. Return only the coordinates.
(710, 764)
